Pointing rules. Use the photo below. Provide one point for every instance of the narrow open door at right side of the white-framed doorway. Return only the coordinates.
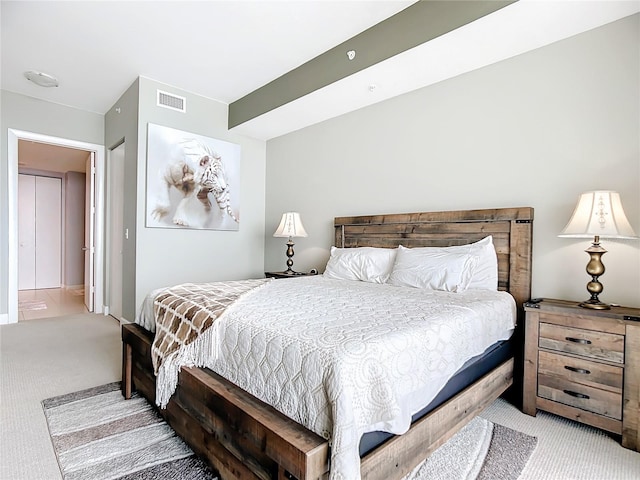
(89, 226)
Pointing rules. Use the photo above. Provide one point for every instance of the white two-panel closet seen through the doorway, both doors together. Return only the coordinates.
(39, 232)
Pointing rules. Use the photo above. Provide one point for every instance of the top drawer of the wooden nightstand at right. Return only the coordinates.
(588, 343)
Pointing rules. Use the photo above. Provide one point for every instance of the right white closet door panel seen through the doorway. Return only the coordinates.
(48, 232)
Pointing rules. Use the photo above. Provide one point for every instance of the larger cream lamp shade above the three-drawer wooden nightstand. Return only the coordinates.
(599, 213)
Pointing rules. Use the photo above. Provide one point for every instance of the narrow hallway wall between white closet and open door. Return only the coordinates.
(74, 193)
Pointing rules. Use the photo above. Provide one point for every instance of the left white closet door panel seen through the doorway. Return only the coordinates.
(26, 232)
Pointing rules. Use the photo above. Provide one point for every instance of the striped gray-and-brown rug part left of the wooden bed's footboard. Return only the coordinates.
(96, 434)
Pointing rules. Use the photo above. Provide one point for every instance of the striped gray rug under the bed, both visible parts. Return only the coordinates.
(97, 434)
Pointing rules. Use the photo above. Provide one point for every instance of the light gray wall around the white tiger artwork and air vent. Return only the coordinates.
(156, 257)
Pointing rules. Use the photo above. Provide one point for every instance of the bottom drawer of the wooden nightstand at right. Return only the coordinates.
(580, 396)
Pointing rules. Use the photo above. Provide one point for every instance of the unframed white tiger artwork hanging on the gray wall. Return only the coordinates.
(192, 181)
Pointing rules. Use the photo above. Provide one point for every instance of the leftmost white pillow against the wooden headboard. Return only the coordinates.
(367, 264)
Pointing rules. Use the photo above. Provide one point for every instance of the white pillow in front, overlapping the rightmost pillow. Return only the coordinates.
(432, 268)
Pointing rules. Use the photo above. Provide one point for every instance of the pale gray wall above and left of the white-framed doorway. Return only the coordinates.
(28, 114)
